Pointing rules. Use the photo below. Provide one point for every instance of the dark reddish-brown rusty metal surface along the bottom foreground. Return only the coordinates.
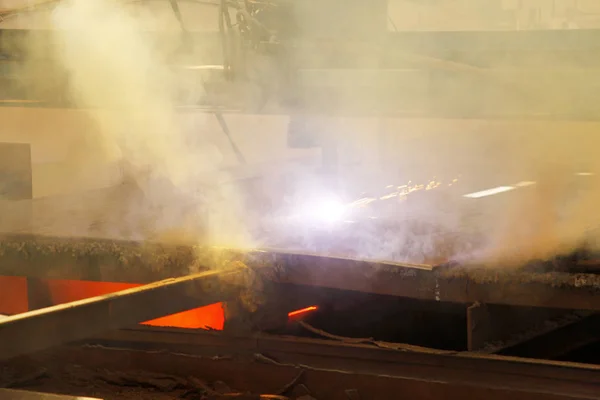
(460, 373)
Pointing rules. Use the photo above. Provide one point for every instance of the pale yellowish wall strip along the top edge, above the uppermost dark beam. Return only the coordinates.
(442, 15)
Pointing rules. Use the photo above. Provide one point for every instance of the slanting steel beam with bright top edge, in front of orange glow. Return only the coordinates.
(47, 327)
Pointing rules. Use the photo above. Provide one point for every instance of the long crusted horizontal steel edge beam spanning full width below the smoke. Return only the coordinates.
(120, 261)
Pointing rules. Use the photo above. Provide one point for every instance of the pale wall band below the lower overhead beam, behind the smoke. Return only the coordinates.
(369, 147)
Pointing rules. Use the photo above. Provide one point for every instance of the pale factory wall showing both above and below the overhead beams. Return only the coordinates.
(59, 135)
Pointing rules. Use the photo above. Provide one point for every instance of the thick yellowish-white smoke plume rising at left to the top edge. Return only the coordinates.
(118, 76)
